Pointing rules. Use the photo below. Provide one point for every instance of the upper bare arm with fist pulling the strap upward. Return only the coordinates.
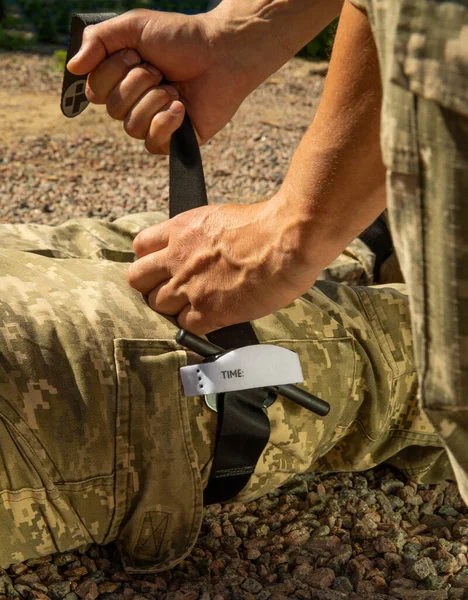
(214, 61)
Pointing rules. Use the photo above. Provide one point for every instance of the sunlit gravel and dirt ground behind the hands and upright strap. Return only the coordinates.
(53, 168)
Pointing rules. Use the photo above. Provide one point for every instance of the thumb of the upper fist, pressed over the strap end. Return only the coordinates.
(102, 40)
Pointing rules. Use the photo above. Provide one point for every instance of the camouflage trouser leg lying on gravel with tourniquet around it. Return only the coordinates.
(97, 441)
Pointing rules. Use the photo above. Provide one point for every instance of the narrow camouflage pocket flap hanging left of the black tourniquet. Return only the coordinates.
(159, 500)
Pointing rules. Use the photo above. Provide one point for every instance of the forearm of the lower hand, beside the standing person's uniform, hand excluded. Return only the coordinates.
(336, 180)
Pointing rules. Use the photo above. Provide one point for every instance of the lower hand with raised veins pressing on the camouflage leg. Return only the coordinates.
(219, 265)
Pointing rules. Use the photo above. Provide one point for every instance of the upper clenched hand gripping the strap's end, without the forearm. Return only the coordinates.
(184, 49)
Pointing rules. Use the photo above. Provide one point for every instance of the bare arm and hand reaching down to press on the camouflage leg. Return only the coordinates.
(220, 265)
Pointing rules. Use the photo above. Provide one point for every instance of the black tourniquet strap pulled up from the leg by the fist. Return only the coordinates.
(243, 426)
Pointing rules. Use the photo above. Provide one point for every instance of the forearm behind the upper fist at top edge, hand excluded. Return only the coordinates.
(262, 35)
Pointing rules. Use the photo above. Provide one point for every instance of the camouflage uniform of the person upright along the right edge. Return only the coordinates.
(423, 55)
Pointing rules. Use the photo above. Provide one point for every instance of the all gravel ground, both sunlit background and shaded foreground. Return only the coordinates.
(372, 535)
